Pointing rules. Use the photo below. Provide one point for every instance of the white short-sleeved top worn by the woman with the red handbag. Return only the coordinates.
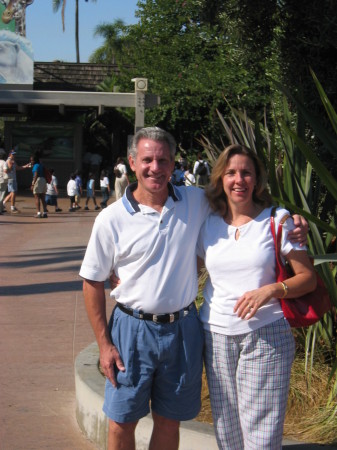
(238, 266)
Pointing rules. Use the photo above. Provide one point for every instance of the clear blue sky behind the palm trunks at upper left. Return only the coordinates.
(50, 43)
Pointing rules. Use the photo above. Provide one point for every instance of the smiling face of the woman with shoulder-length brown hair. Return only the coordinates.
(239, 180)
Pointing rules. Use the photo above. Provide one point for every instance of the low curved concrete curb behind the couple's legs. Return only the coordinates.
(89, 386)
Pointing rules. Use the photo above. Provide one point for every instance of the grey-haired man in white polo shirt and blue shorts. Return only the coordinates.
(154, 352)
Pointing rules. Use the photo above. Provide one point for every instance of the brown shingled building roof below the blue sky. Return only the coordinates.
(61, 76)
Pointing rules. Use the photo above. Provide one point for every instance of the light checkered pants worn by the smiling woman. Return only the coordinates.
(248, 377)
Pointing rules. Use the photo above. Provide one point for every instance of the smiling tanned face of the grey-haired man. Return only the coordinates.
(153, 166)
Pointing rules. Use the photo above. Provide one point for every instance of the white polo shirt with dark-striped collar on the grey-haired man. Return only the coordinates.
(154, 254)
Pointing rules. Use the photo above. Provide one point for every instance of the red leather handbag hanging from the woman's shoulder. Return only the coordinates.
(309, 308)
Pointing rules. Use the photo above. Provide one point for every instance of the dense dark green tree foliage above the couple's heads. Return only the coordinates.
(196, 52)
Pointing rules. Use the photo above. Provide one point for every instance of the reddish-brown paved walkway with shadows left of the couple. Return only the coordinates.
(43, 327)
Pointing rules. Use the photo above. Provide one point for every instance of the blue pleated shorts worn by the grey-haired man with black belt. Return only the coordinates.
(163, 365)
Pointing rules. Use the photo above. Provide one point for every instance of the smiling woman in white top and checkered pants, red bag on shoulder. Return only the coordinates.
(249, 346)
